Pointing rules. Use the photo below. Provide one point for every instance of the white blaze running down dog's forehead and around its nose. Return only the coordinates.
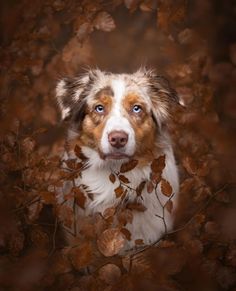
(117, 120)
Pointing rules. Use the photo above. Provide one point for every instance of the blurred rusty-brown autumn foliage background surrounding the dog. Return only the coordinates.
(193, 44)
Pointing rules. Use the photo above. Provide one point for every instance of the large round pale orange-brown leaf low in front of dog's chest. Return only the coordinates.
(110, 242)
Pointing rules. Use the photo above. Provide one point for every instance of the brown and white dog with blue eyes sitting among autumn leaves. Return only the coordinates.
(115, 118)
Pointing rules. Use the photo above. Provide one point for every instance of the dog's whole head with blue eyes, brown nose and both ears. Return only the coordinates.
(117, 115)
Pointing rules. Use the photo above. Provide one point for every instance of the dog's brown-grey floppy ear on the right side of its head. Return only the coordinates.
(162, 95)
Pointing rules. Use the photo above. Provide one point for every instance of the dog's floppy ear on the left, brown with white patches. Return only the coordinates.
(69, 93)
